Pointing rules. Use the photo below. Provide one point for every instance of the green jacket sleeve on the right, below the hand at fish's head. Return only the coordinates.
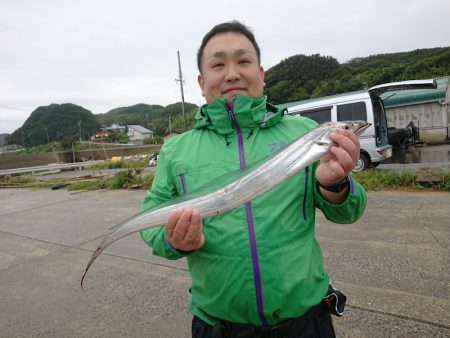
(348, 211)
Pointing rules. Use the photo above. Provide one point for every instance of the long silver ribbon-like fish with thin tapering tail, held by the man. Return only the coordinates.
(302, 152)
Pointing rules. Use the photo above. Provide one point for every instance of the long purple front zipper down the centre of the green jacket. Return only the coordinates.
(250, 224)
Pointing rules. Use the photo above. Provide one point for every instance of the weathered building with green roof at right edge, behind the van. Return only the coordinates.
(428, 109)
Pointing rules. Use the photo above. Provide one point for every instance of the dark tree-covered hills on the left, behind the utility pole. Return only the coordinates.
(68, 122)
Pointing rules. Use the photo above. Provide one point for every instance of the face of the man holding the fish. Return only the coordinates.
(230, 66)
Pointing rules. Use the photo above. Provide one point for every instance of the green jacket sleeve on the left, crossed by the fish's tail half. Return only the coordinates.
(162, 189)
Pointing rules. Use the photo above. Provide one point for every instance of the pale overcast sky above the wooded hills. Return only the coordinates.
(107, 54)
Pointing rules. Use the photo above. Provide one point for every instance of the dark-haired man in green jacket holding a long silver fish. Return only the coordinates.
(257, 270)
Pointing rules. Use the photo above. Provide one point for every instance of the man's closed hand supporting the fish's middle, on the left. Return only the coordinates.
(184, 230)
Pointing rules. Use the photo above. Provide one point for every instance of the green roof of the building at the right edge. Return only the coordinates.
(417, 96)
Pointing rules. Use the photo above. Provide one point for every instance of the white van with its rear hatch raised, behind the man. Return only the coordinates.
(361, 105)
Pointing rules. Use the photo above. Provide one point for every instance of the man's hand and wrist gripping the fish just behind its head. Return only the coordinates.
(337, 164)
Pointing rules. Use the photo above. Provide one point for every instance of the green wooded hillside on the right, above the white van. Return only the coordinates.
(302, 77)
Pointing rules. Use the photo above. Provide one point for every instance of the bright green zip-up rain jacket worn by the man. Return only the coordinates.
(261, 262)
